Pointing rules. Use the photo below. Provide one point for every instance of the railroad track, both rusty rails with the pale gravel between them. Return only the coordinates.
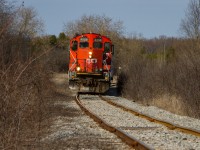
(136, 129)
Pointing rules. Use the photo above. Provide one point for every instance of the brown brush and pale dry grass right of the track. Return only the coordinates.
(173, 85)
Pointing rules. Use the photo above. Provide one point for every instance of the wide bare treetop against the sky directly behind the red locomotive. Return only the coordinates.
(94, 23)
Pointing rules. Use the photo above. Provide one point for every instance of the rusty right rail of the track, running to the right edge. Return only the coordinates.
(170, 125)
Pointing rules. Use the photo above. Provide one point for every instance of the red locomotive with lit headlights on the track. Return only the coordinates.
(90, 62)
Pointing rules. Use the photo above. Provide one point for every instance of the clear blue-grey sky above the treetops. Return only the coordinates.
(151, 18)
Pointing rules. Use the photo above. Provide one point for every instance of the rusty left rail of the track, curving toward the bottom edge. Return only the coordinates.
(130, 140)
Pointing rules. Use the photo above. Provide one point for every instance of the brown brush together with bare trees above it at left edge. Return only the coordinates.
(24, 79)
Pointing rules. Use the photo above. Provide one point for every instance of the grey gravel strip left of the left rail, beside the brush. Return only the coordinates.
(78, 131)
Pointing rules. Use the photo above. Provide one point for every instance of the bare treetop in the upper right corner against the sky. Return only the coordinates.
(190, 25)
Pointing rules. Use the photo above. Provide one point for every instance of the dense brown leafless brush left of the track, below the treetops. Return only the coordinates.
(24, 86)
